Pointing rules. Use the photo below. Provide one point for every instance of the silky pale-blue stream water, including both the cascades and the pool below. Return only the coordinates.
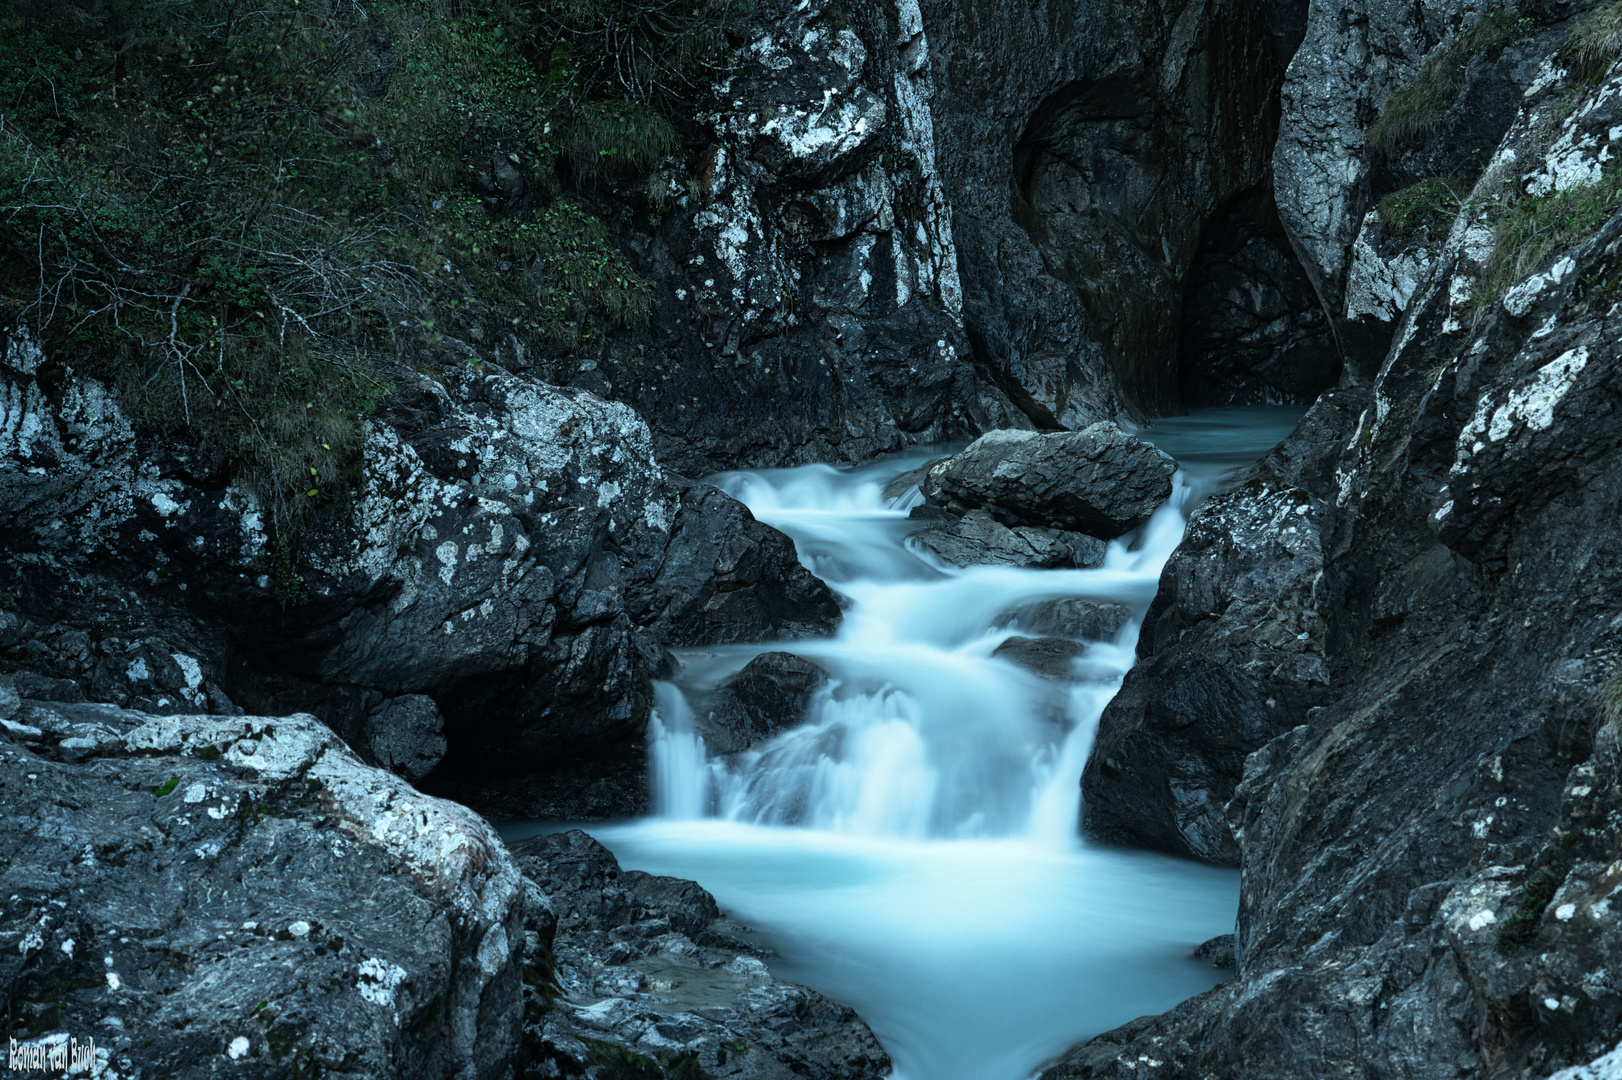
(912, 847)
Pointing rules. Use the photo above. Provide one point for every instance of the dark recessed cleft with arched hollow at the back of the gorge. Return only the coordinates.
(1157, 210)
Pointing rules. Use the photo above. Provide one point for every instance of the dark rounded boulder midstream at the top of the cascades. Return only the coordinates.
(1099, 481)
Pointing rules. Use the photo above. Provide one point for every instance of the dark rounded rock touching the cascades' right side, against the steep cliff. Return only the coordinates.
(1232, 654)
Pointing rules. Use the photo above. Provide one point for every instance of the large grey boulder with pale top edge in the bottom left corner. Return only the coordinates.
(197, 891)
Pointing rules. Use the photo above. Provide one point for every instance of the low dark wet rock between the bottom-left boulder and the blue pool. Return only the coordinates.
(646, 971)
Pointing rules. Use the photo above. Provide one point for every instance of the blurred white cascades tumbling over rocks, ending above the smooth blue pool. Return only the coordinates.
(920, 732)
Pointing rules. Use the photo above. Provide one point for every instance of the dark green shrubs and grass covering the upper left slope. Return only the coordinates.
(242, 213)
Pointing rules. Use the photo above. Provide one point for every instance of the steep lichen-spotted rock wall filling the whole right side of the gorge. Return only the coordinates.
(1380, 675)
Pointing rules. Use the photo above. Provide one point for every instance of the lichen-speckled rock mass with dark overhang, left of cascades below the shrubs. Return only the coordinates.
(513, 551)
